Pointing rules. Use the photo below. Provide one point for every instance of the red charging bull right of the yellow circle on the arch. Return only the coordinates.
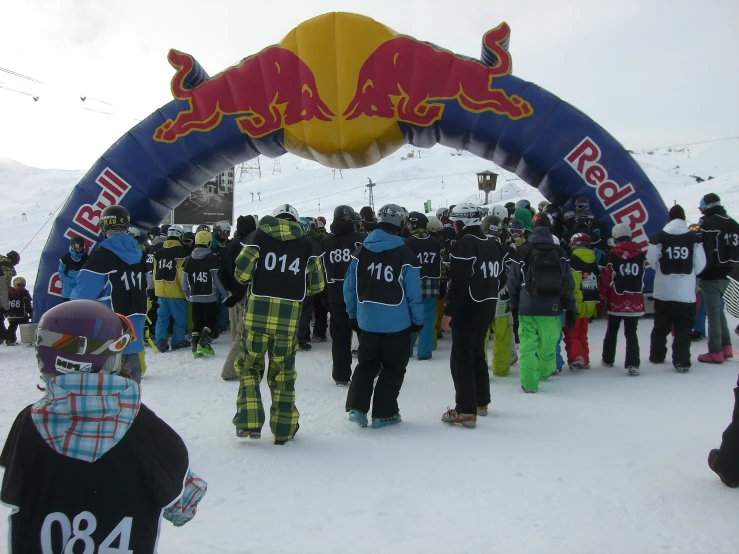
(420, 107)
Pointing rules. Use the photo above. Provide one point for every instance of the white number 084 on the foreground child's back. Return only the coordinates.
(76, 535)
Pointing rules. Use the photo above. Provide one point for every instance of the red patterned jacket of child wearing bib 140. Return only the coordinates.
(622, 291)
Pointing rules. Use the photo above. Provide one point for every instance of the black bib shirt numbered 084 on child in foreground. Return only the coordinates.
(111, 505)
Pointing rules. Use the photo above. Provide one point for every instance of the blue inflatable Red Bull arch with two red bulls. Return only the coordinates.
(346, 91)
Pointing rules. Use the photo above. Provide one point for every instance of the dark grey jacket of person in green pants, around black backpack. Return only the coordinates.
(527, 304)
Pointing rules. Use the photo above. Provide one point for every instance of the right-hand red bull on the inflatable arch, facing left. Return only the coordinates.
(408, 80)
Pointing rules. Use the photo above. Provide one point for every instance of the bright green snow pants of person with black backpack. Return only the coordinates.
(538, 347)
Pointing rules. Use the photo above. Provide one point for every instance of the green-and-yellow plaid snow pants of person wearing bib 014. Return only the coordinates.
(281, 375)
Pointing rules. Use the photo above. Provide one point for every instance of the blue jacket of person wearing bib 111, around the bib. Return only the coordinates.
(96, 286)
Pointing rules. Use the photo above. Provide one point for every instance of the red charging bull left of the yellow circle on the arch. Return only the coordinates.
(212, 96)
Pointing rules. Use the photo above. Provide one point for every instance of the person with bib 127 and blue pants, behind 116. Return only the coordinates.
(429, 253)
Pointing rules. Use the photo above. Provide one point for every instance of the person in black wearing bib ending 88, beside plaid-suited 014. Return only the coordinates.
(338, 247)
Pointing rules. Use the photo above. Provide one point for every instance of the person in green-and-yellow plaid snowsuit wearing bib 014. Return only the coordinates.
(282, 266)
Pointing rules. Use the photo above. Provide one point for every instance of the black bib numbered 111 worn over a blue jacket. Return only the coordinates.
(127, 281)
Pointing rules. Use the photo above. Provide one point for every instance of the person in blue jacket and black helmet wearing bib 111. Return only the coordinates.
(115, 274)
